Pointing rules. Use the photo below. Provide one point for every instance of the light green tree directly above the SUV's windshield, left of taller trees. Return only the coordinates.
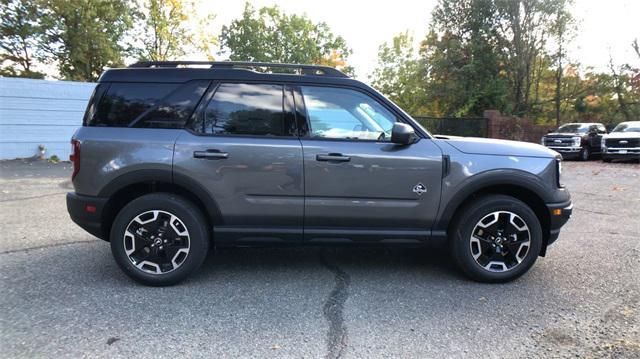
(399, 74)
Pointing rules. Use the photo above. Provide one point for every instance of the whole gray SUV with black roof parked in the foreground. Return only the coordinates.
(173, 159)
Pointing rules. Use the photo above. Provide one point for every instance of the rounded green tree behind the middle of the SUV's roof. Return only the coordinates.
(268, 35)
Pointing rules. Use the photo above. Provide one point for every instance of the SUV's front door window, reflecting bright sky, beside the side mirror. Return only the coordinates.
(346, 114)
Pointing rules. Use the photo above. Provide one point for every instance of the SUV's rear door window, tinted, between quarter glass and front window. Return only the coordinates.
(246, 109)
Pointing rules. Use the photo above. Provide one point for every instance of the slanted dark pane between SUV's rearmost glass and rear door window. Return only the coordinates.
(175, 109)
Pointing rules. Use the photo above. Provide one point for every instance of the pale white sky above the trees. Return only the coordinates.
(605, 26)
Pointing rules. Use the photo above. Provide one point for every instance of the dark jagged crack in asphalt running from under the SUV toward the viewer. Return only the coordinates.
(333, 310)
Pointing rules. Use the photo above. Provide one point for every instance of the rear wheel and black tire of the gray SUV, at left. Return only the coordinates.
(167, 239)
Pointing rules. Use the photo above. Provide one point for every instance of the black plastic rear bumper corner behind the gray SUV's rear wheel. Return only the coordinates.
(86, 212)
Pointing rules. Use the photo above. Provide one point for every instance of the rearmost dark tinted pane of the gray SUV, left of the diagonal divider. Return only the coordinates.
(123, 102)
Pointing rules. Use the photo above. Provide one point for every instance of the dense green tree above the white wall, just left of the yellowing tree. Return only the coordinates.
(85, 36)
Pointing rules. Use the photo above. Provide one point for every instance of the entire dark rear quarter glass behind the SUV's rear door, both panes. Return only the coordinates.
(149, 105)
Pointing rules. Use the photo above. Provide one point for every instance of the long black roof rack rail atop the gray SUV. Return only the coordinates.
(314, 70)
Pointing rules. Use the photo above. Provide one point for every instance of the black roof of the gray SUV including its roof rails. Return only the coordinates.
(182, 71)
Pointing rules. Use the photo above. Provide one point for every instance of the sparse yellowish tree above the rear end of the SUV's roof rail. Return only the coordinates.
(167, 34)
